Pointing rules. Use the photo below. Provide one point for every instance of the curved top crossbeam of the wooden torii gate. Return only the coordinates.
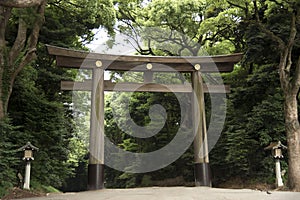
(82, 59)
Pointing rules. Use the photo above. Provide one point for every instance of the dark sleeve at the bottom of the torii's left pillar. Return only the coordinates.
(95, 176)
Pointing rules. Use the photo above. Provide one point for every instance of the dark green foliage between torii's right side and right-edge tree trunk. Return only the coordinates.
(255, 109)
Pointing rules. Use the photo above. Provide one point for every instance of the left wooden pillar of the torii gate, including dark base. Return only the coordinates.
(96, 146)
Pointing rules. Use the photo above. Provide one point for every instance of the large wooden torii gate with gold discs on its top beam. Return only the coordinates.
(98, 63)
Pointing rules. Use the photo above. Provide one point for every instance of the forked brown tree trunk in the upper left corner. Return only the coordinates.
(13, 59)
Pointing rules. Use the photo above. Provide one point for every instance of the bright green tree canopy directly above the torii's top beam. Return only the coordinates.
(179, 28)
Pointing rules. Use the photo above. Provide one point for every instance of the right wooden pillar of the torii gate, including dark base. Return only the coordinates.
(202, 170)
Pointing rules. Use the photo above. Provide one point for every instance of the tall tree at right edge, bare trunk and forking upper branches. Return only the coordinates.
(289, 73)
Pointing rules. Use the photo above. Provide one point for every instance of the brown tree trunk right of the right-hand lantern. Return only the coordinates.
(290, 83)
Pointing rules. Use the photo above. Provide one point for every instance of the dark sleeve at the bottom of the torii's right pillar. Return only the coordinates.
(202, 174)
